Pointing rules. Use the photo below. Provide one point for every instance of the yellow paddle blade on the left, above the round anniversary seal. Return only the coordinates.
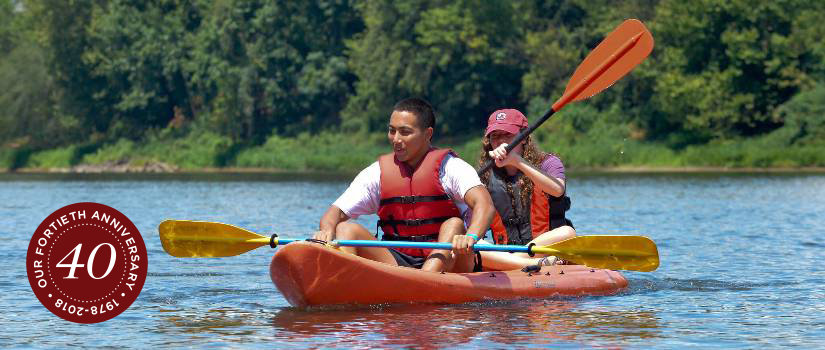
(202, 239)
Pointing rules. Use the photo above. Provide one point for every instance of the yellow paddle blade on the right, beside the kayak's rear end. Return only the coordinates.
(636, 253)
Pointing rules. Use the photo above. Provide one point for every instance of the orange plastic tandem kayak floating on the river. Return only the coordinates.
(310, 274)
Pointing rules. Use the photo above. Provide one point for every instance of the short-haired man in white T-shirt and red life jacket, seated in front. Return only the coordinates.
(420, 193)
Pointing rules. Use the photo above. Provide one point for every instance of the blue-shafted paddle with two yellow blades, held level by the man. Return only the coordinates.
(195, 239)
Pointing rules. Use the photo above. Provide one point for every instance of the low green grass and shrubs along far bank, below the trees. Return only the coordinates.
(582, 137)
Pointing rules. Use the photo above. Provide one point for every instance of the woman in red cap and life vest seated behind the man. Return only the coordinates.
(528, 190)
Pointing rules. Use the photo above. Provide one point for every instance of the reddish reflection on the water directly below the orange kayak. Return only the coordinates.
(519, 322)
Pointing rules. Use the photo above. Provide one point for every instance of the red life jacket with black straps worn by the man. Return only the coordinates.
(413, 202)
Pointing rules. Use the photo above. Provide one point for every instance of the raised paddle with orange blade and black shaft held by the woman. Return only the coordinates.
(620, 52)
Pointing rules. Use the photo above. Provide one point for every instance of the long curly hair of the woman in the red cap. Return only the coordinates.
(531, 154)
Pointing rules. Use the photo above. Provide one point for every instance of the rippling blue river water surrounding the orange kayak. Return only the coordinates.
(741, 266)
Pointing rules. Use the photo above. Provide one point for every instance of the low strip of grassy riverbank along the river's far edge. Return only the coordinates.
(336, 153)
